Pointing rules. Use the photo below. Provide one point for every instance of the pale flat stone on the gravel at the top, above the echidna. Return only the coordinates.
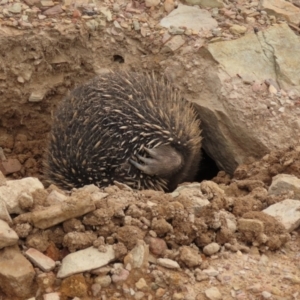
(191, 17)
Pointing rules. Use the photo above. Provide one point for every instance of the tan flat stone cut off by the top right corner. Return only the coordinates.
(281, 8)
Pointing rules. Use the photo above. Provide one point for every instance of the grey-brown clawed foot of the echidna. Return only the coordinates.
(164, 161)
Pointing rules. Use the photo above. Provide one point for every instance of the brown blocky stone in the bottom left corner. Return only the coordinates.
(16, 273)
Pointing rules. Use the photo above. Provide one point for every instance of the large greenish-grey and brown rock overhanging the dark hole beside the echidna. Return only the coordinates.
(237, 121)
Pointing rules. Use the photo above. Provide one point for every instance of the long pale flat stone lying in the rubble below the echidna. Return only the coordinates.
(85, 260)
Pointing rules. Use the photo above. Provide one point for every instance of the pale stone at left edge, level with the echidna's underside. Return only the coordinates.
(9, 193)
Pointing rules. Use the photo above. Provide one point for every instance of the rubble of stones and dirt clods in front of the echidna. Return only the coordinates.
(223, 239)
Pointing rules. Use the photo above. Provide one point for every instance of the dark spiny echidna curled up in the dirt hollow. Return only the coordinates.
(129, 127)
